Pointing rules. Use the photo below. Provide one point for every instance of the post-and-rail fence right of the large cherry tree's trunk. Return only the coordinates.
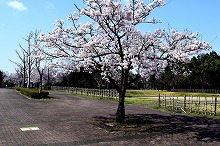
(198, 105)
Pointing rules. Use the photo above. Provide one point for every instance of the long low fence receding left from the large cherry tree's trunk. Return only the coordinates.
(103, 93)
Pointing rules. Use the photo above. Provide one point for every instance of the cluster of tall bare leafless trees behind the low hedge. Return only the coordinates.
(32, 70)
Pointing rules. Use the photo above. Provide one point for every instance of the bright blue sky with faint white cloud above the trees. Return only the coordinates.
(18, 18)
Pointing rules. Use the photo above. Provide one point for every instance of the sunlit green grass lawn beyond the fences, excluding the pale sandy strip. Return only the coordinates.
(149, 99)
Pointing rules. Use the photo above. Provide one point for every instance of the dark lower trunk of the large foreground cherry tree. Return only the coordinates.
(120, 114)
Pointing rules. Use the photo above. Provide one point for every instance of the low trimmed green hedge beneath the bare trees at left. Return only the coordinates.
(33, 93)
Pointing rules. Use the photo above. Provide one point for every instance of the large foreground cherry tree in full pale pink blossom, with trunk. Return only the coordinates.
(111, 42)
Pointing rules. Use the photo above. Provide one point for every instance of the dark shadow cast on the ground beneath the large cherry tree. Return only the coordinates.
(203, 129)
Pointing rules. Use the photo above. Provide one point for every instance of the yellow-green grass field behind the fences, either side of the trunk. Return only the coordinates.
(149, 98)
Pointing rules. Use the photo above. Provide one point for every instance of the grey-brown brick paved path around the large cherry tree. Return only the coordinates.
(65, 122)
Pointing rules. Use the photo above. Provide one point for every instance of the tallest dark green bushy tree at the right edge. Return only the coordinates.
(205, 71)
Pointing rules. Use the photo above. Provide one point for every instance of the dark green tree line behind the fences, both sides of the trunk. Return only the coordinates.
(201, 72)
